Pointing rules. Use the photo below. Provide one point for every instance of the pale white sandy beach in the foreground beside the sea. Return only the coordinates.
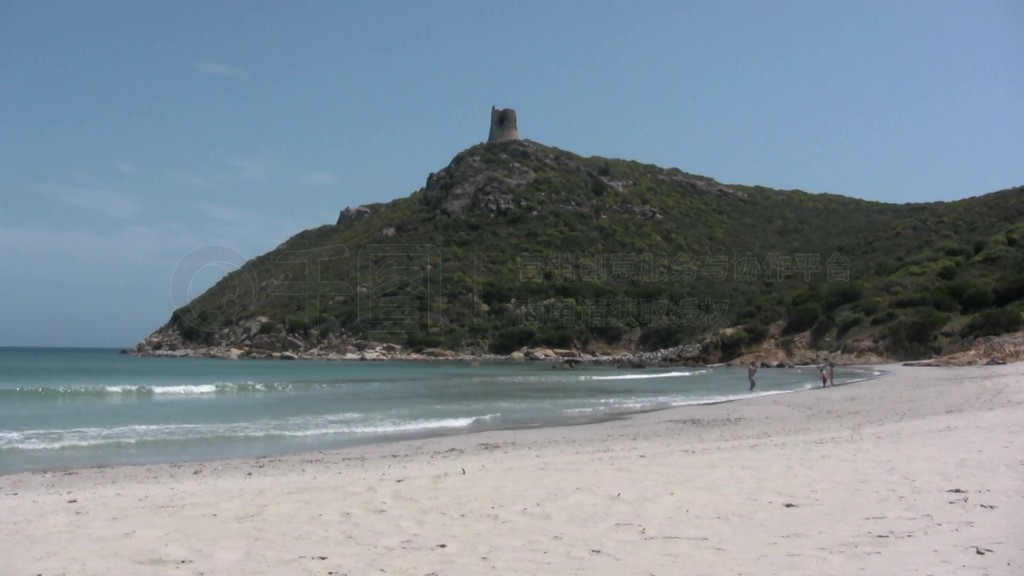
(864, 479)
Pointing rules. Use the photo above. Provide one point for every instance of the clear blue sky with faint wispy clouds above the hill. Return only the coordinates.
(136, 134)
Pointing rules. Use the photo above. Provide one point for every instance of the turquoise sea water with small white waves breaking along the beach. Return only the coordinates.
(63, 408)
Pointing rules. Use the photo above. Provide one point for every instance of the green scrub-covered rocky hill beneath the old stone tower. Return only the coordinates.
(519, 244)
